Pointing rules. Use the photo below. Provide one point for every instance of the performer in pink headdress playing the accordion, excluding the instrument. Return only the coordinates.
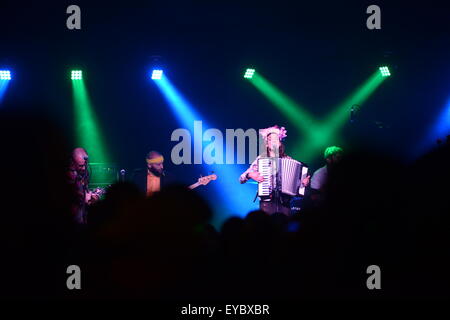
(273, 137)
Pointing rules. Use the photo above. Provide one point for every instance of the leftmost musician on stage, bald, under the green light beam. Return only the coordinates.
(79, 180)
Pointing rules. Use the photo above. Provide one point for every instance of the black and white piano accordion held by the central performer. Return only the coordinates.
(282, 174)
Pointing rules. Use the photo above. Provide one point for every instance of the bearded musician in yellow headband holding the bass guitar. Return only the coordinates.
(152, 178)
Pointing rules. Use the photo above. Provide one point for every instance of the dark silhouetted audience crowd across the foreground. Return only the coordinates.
(377, 211)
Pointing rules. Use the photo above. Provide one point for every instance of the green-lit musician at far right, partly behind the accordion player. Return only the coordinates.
(332, 156)
